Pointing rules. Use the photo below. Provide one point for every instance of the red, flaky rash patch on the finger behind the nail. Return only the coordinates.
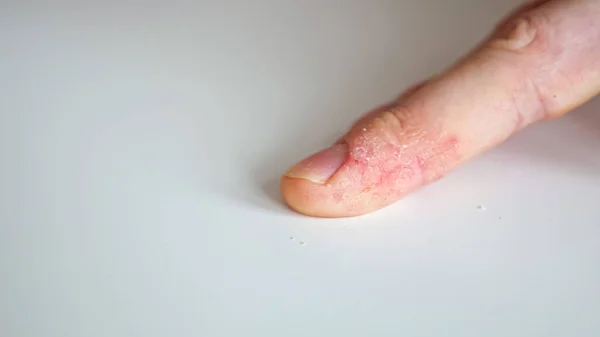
(391, 171)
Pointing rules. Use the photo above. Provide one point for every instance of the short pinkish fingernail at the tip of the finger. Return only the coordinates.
(321, 166)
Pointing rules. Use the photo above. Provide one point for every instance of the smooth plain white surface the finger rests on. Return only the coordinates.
(141, 147)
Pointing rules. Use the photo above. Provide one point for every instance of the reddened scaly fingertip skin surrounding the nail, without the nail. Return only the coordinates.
(389, 157)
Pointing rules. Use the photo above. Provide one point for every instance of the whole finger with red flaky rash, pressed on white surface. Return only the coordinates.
(542, 61)
